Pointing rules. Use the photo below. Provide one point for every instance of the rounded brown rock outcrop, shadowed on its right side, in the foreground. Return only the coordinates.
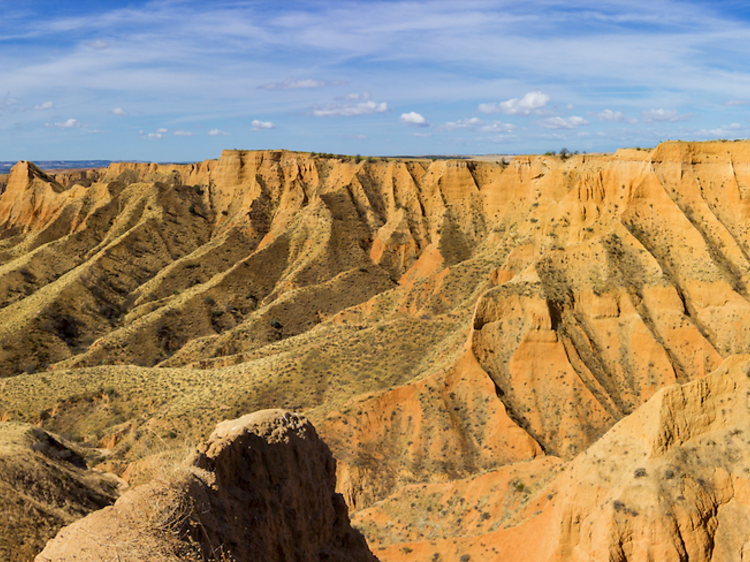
(261, 488)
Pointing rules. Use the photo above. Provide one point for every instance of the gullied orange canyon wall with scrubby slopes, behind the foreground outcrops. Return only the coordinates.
(438, 320)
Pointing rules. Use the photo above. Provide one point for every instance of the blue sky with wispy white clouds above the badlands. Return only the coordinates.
(178, 81)
